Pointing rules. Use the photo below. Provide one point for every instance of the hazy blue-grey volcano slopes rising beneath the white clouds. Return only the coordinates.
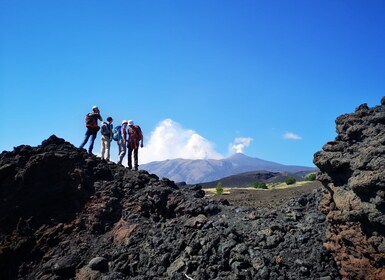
(201, 171)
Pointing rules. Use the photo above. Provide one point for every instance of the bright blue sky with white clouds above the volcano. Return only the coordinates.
(202, 78)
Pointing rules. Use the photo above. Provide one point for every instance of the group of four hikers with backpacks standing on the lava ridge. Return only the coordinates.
(126, 135)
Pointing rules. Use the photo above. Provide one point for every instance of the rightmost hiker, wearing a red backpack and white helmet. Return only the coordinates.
(135, 139)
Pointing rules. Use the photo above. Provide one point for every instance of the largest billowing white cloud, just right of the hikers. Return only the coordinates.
(170, 140)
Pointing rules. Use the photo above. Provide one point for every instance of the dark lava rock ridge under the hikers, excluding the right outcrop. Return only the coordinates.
(66, 214)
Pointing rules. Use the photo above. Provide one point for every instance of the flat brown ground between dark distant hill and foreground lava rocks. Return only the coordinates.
(267, 198)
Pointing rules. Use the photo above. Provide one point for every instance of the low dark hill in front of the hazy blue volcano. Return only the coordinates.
(247, 179)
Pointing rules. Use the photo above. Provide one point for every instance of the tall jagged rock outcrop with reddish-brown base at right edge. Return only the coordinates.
(353, 173)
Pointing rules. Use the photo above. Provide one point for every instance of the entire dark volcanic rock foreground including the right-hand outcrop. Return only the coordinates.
(66, 214)
